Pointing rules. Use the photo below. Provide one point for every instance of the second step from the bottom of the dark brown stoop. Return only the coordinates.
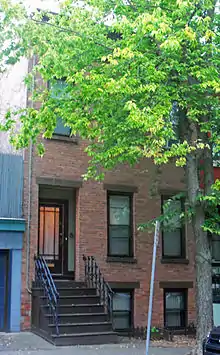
(79, 328)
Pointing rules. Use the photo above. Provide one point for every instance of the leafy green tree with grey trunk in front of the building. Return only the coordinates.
(141, 83)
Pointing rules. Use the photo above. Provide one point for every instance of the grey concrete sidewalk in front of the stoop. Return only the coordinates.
(30, 344)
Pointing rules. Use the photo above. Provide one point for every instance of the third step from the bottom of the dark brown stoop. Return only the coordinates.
(79, 318)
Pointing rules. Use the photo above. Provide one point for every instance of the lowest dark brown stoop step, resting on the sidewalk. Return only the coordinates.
(85, 339)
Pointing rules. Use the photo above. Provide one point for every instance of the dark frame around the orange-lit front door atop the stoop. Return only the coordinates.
(63, 247)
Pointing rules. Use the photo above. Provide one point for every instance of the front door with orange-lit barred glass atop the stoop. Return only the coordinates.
(53, 234)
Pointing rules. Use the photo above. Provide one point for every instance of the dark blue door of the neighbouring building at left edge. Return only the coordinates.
(3, 275)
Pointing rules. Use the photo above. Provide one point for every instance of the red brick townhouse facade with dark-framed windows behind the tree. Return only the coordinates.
(67, 218)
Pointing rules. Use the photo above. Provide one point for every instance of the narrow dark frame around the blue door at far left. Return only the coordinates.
(6, 291)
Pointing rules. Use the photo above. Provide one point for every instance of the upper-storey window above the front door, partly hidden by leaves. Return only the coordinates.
(58, 92)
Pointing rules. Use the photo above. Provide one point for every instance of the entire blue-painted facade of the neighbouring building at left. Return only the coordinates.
(12, 227)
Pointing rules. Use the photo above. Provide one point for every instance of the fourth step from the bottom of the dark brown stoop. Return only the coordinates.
(75, 309)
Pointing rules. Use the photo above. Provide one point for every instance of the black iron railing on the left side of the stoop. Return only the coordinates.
(44, 279)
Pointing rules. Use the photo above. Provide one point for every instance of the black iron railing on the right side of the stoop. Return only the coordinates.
(94, 278)
